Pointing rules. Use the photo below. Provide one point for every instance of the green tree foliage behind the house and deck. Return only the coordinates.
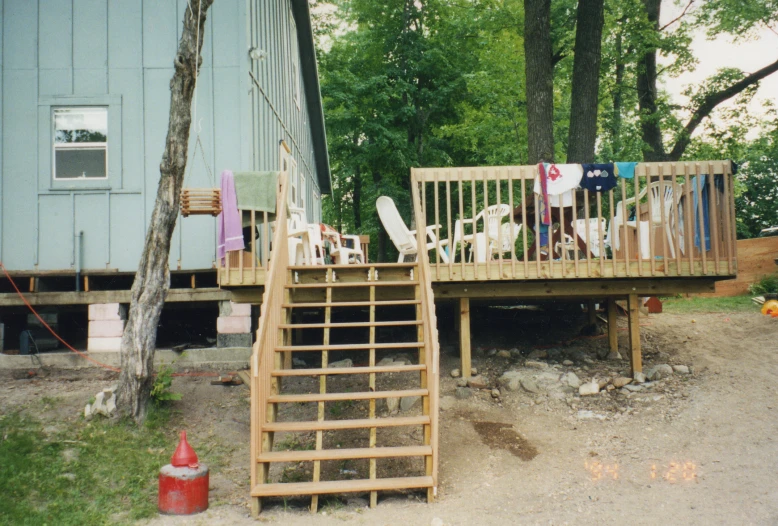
(442, 83)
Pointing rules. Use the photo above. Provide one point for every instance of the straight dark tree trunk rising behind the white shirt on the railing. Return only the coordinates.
(539, 73)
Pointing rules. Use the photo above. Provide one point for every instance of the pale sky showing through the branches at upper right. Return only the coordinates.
(722, 52)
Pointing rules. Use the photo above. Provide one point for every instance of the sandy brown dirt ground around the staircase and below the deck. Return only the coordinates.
(689, 449)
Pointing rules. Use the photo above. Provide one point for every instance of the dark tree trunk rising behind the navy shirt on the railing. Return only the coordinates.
(582, 133)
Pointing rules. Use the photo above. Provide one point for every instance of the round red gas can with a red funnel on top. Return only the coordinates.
(183, 484)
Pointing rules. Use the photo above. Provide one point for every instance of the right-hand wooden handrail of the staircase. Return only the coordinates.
(431, 342)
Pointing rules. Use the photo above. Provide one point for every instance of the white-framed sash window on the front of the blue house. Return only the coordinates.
(80, 143)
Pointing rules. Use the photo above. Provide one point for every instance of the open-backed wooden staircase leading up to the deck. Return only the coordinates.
(320, 430)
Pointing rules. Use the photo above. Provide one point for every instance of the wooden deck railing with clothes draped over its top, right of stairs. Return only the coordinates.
(682, 224)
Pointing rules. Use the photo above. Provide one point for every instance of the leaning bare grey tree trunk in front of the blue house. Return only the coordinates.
(152, 279)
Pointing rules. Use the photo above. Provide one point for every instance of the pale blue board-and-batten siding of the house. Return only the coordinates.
(119, 53)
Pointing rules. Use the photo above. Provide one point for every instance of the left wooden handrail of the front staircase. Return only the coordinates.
(263, 350)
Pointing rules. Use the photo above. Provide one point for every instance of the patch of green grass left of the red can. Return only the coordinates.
(97, 472)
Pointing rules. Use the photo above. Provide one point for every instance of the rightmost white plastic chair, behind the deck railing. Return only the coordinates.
(662, 194)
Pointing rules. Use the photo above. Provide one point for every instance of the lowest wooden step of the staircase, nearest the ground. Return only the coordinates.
(339, 486)
